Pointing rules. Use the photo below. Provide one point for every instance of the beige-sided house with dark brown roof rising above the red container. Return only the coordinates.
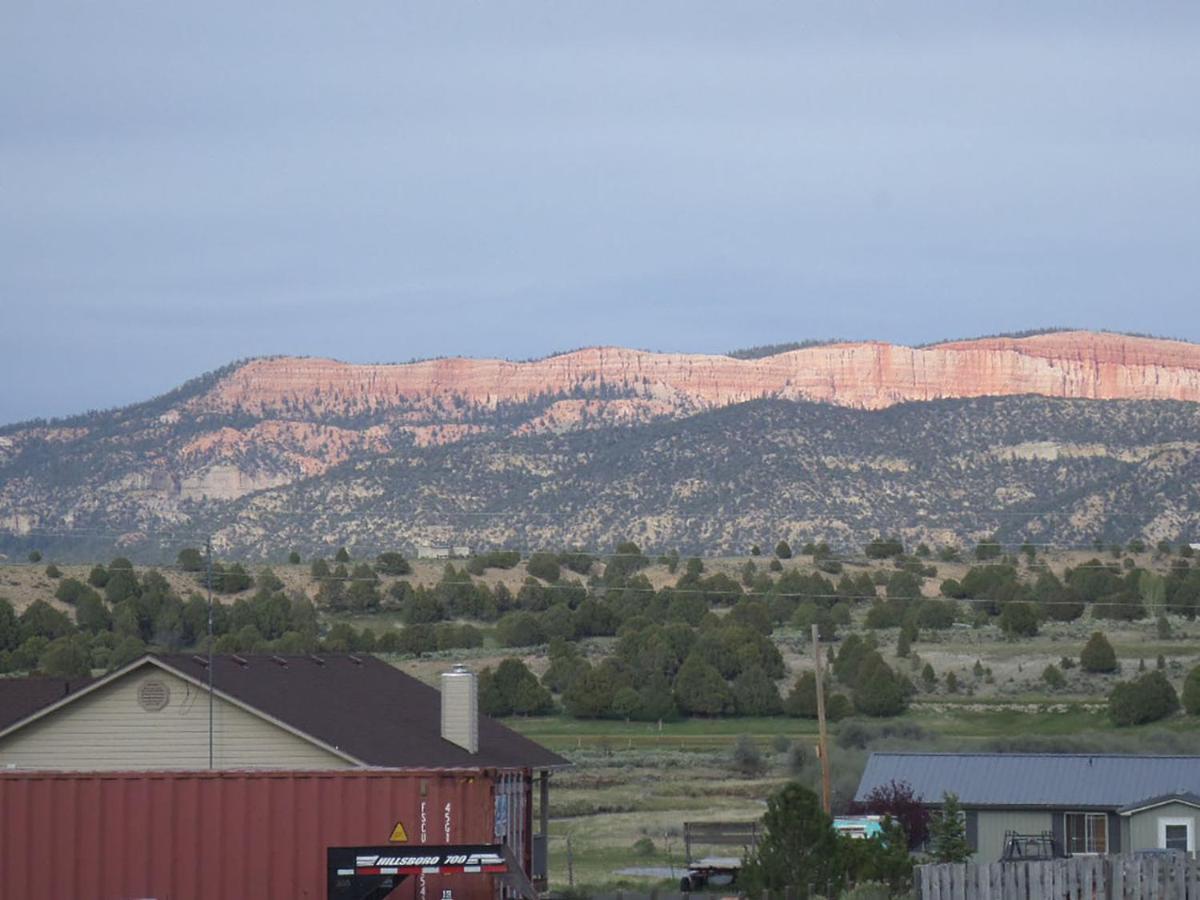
(299, 712)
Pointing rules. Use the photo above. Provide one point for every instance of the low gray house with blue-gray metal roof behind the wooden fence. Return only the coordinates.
(1093, 805)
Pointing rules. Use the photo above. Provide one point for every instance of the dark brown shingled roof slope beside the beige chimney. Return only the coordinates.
(363, 707)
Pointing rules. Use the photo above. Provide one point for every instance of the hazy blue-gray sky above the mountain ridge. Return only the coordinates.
(184, 185)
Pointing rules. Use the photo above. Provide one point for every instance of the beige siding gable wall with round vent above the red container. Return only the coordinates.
(110, 730)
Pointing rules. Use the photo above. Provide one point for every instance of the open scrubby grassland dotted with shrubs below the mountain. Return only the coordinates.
(974, 681)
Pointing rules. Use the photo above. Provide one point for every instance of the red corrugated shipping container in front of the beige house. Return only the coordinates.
(230, 836)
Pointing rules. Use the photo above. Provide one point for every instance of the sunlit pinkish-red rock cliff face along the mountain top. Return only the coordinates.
(869, 376)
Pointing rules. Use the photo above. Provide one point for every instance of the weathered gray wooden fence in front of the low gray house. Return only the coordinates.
(1076, 879)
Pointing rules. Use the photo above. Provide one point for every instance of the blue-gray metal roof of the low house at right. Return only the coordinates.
(1057, 781)
